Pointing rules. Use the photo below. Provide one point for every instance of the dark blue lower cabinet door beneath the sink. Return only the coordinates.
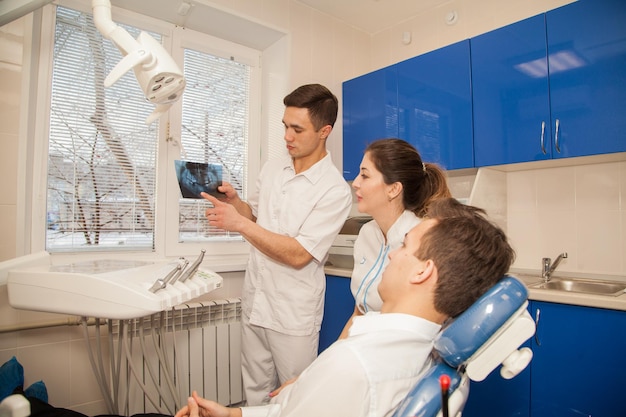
(578, 361)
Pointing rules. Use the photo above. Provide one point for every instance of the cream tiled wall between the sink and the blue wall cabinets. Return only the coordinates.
(580, 210)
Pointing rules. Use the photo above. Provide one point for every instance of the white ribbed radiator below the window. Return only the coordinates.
(155, 362)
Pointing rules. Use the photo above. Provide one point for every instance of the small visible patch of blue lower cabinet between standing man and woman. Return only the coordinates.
(338, 307)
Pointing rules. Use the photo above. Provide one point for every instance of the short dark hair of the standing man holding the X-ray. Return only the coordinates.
(318, 100)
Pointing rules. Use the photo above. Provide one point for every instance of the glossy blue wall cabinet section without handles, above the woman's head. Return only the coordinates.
(424, 100)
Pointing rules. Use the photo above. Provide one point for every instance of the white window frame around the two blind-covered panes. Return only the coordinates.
(227, 255)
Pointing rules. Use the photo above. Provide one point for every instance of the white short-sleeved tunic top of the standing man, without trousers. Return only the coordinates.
(311, 207)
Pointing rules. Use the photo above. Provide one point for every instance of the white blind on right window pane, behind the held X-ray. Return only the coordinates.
(214, 130)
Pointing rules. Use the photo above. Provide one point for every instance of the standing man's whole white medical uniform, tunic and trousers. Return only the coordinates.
(282, 306)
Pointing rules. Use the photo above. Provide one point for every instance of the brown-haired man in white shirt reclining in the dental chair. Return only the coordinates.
(444, 265)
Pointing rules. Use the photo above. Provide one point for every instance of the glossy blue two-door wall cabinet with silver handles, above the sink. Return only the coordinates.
(551, 86)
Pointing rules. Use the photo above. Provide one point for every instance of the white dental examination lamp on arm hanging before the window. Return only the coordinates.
(158, 75)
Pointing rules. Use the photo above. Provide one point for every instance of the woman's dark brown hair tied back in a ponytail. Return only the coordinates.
(399, 161)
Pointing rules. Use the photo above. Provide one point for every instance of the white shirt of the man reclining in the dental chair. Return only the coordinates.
(366, 374)
